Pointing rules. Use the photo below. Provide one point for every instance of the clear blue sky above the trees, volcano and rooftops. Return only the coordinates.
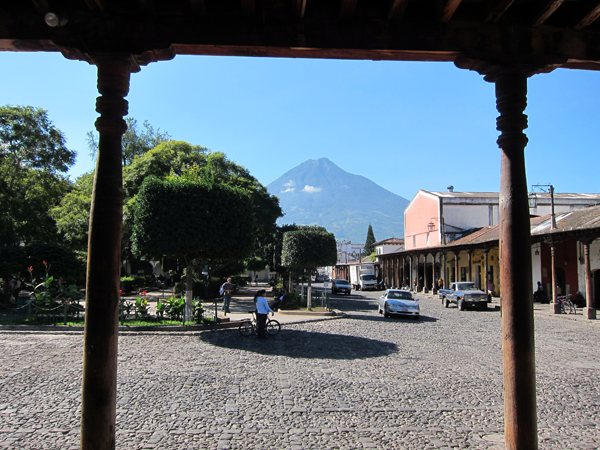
(406, 126)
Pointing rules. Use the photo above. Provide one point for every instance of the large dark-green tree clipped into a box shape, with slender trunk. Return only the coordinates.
(195, 221)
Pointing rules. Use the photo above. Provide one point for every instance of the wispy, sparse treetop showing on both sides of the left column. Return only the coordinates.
(136, 141)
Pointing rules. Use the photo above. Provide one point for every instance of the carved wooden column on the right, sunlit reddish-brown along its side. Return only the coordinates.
(518, 349)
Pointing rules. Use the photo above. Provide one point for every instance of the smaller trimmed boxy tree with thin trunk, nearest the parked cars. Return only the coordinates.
(306, 249)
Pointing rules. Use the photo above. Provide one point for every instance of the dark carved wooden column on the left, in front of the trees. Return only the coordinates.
(99, 385)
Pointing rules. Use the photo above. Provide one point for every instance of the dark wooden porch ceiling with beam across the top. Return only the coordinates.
(475, 34)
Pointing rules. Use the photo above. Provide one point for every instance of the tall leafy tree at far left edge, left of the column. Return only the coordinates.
(33, 162)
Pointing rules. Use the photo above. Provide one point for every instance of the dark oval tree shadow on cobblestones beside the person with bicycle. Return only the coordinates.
(303, 344)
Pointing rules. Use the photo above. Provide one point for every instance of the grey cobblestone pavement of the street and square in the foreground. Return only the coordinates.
(359, 382)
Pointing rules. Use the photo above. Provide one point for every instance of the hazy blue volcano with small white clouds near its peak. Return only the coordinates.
(319, 192)
